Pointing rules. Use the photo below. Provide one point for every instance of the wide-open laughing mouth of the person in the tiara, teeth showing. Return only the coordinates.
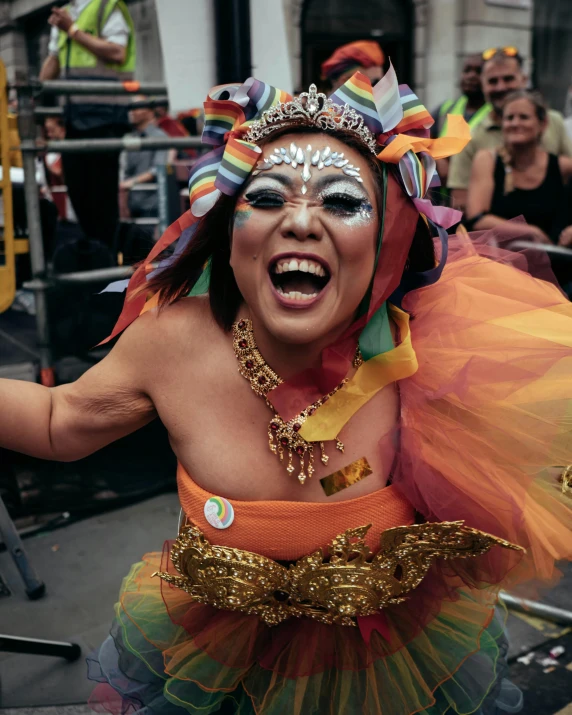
(301, 279)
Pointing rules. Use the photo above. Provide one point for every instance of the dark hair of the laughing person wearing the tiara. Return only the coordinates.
(211, 244)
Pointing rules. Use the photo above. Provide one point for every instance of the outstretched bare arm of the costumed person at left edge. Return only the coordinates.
(71, 421)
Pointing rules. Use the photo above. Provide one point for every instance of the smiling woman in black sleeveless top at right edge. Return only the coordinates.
(521, 179)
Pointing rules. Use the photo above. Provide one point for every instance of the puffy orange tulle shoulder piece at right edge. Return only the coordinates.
(487, 417)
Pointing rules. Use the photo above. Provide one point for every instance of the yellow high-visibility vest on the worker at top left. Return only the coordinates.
(77, 62)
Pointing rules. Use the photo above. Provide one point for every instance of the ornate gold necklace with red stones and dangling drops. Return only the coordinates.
(283, 437)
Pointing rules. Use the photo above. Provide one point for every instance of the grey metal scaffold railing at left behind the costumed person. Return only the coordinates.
(42, 279)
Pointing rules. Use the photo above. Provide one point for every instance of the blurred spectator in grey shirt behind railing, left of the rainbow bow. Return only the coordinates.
(140, 167)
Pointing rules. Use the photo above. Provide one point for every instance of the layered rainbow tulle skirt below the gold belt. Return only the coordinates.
(168, 655)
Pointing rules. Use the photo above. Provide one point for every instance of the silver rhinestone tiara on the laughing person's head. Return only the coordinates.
(312, 109)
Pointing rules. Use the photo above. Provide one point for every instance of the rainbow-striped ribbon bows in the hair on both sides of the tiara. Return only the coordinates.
(392, 112)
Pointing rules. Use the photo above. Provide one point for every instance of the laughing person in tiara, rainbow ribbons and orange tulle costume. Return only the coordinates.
(374, 417)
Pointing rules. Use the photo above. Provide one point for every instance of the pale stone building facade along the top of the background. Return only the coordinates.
(426, 39)
